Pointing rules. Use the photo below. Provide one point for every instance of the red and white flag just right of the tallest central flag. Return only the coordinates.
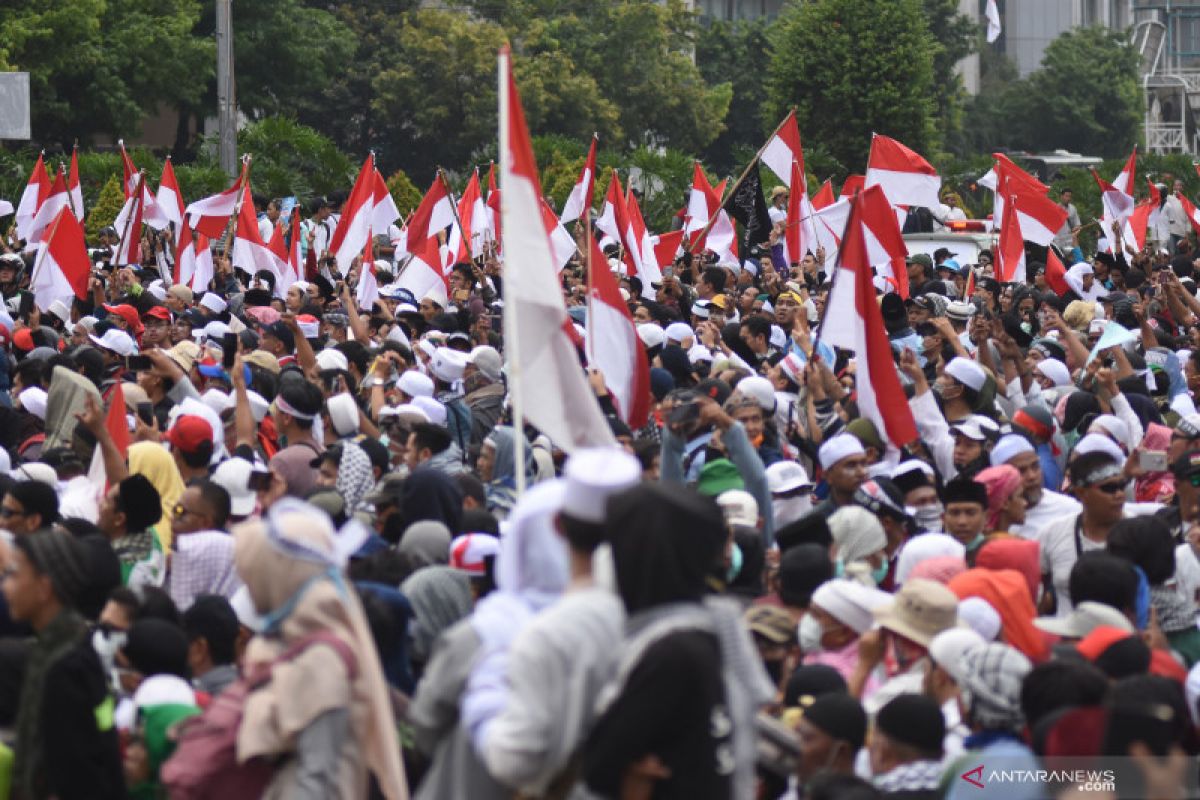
(614, 347)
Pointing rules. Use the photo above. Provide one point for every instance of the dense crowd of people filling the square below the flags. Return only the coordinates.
(272, 544)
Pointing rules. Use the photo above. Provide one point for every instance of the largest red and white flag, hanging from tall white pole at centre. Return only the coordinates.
(544, 368)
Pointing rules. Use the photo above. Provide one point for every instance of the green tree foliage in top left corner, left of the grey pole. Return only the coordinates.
(99, 68)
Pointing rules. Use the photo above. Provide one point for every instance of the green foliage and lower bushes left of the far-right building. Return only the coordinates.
(1084, 98)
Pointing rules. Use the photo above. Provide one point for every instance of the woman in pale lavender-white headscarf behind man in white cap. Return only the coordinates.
(466, 682)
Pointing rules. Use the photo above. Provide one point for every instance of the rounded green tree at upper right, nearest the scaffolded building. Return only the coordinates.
(1085, 97)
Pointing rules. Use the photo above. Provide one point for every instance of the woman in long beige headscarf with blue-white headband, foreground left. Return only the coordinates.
(328, 723)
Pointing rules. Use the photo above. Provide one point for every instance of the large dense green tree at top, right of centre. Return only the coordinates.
(854, 69)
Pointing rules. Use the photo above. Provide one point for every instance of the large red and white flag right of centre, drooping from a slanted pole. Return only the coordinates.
(859, 327)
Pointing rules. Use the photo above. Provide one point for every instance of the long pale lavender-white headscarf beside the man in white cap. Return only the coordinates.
(532, 572)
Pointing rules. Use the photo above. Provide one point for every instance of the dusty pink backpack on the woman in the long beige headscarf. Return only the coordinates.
(205, 766)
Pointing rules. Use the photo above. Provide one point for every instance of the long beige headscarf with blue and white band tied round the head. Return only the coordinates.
(291, 567)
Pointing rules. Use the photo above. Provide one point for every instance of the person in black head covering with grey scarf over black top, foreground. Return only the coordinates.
(686, 661)
